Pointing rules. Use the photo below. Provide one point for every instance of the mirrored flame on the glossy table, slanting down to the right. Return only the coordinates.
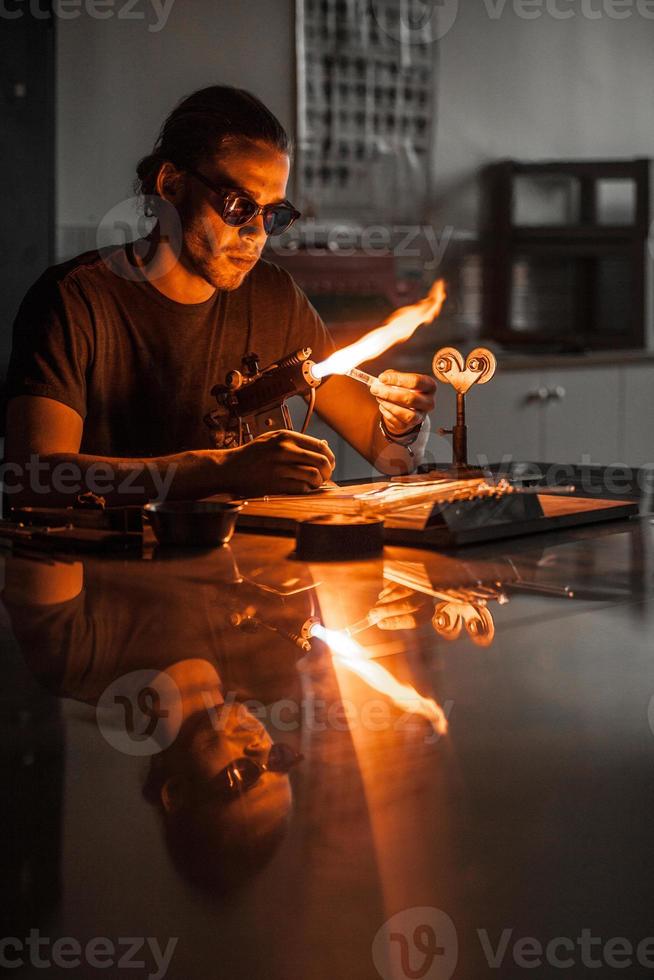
(347, 652)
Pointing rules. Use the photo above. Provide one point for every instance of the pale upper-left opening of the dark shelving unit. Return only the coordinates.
(546, 200)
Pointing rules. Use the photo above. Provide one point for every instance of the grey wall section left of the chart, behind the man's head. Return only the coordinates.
(117, 81)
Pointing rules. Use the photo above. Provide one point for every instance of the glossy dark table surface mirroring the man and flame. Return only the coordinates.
(466, 789)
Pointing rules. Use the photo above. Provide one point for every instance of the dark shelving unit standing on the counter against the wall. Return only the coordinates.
(564, 247)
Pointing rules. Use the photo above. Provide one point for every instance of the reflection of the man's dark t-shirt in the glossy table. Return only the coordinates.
(125, 620)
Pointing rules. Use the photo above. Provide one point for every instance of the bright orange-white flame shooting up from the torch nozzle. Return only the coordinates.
(399, 327)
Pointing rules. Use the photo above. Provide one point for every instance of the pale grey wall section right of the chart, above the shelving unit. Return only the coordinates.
(535, 89)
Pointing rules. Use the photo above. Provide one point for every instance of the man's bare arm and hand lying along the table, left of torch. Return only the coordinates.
(43, 465)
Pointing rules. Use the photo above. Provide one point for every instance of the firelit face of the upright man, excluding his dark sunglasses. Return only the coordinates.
(221, 254)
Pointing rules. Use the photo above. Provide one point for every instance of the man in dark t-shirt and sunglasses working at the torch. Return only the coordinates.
(115, 353)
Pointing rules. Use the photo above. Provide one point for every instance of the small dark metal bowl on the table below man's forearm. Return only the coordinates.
(193, 523)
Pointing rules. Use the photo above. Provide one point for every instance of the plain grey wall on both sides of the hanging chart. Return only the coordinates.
(508, 87)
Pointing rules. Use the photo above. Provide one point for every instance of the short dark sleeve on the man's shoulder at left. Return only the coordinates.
(52, 345)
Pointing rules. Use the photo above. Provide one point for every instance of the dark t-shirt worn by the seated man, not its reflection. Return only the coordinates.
(139, 367)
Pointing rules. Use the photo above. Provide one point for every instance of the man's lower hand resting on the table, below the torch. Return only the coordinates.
(278, 462)
